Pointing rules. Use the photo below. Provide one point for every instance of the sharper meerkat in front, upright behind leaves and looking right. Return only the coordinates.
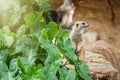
(77, 35)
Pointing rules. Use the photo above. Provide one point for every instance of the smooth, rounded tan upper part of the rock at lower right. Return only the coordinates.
(110, 53)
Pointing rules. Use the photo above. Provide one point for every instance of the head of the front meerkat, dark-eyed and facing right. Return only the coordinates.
(80, 26)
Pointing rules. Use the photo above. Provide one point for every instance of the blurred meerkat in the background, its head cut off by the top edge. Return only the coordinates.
(65, 14)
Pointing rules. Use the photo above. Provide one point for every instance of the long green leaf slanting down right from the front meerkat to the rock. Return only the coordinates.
(81, 68)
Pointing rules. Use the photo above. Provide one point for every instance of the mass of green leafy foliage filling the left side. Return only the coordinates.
(35, 51)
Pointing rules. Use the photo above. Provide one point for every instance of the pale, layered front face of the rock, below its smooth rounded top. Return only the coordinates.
(99, 67)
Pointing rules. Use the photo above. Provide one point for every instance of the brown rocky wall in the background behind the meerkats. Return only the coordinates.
(102, 15)
